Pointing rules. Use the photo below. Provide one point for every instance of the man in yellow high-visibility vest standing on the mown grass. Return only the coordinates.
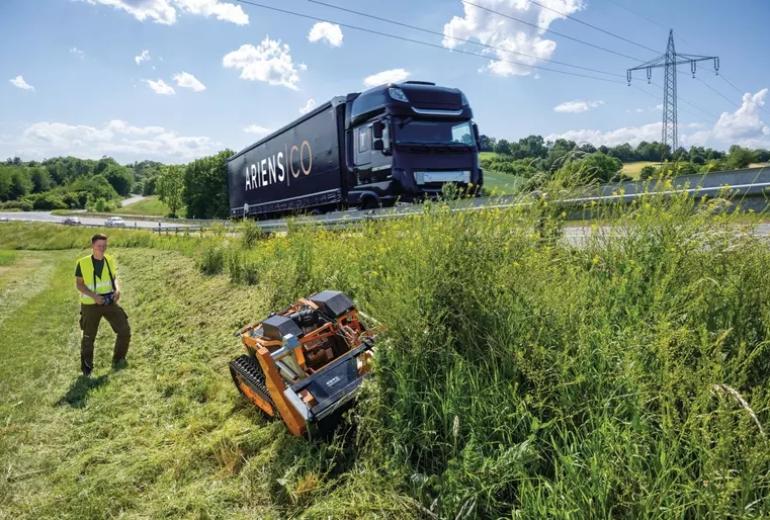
(96, 277)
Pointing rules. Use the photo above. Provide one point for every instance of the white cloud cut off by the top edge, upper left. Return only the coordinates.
(165, 11)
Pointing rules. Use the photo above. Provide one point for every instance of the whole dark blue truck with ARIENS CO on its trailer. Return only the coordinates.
(400, 141)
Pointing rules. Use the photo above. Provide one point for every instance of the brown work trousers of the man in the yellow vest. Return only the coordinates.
(90, 316)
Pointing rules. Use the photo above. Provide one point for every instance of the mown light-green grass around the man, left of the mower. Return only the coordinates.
(167, 437)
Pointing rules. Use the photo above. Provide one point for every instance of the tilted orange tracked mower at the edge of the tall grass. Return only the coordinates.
(305, 363)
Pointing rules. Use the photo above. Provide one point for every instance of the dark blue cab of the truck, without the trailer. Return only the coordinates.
(406, 141)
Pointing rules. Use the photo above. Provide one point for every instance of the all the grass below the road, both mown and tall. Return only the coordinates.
(519, 377)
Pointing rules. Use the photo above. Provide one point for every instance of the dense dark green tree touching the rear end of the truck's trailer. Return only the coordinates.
(205, 187)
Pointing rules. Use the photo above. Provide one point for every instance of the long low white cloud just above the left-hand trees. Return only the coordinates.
(116, 138)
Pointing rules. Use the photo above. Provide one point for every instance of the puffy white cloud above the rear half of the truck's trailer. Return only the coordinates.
(270, 62)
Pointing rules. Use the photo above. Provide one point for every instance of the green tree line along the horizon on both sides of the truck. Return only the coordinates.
(200, 187)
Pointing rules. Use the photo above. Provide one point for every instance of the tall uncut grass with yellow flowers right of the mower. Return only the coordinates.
(525, 375)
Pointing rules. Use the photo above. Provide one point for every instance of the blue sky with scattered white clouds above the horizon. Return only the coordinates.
(174, 80)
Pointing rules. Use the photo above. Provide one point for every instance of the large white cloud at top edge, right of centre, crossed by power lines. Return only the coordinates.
(508, 36)
